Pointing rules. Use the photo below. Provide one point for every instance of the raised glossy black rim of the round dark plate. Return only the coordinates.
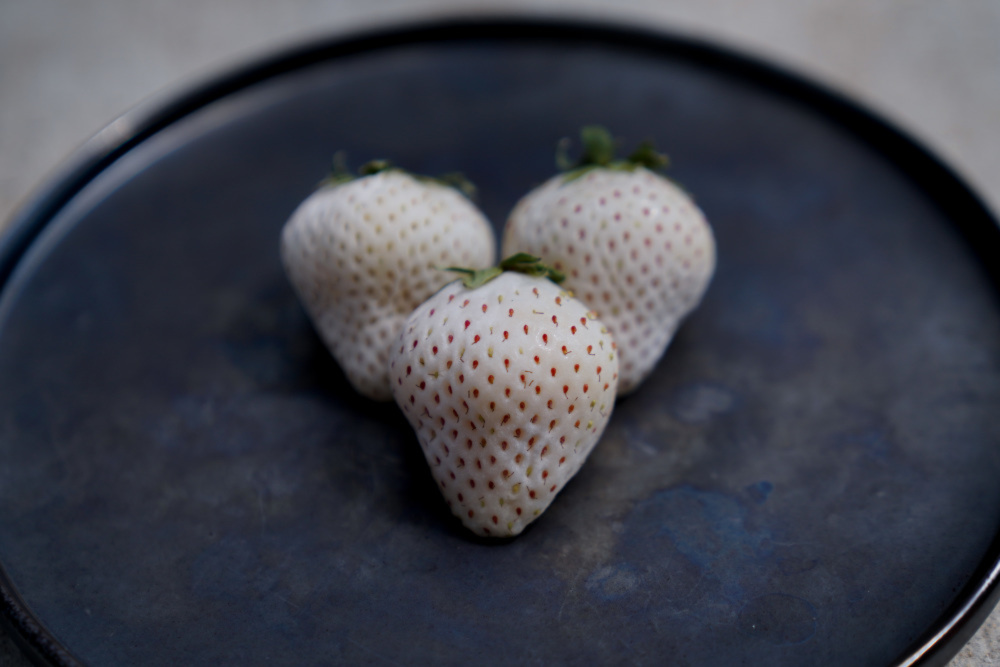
(972, 604)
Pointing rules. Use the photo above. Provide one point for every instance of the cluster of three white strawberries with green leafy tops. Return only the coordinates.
(508, 375)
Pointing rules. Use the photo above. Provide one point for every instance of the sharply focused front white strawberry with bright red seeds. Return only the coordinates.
(508, 386)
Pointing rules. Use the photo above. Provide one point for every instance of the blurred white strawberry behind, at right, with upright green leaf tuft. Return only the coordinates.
(633, 245)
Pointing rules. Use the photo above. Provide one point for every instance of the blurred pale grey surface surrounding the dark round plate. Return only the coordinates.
(69, 68)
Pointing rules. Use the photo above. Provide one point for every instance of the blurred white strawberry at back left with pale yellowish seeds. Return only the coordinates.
(362, 254)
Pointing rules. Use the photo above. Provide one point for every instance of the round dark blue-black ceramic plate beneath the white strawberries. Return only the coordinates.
(808, 478)
